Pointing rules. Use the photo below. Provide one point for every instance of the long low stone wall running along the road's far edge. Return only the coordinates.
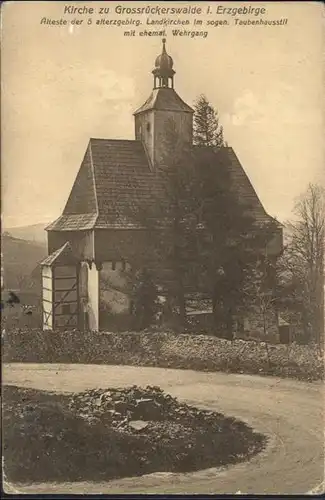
(196, 352)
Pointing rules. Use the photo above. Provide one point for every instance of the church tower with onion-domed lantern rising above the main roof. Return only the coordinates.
(162, 108)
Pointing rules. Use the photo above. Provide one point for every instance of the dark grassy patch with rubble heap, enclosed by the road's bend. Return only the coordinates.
(104, 434)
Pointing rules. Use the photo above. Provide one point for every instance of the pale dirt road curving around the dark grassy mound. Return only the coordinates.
(291, 413)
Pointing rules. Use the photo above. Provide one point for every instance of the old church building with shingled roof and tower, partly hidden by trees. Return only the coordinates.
(96, 233)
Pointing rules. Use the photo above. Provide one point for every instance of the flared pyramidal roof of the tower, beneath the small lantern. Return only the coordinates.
(164, 99)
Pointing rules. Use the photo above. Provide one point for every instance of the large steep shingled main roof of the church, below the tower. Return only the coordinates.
(115, 177)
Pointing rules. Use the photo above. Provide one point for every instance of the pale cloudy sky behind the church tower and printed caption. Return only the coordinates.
(62, 85)
